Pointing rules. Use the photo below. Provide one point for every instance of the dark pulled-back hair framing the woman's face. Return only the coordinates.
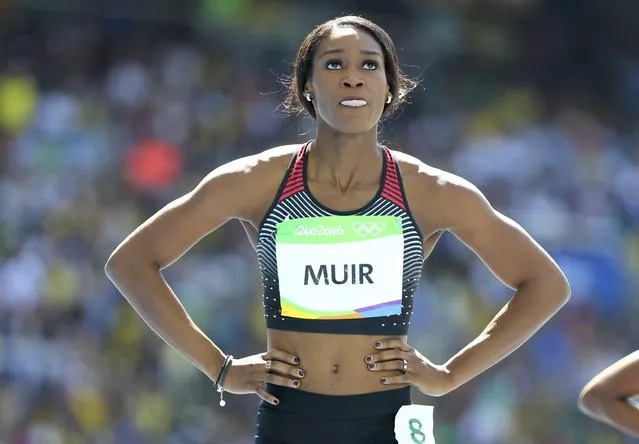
(399, 84)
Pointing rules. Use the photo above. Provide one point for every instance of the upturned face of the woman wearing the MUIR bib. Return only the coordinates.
(348, 82)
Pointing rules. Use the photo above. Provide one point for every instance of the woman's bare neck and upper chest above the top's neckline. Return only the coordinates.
(346, 159)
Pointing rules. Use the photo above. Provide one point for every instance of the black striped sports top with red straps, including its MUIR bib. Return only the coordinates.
(347, 272)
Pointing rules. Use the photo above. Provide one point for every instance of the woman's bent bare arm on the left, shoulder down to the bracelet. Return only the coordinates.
(135, 265)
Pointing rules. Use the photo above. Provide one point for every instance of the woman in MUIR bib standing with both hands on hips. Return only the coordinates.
(341, 226)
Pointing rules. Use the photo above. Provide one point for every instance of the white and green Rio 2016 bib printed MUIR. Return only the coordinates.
(340, 267)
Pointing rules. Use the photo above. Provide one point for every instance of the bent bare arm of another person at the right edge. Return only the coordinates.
(605, 397)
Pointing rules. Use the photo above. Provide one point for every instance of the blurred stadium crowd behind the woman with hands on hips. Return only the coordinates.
(110, 109)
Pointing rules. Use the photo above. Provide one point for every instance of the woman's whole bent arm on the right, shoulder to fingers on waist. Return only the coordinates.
(448, 202)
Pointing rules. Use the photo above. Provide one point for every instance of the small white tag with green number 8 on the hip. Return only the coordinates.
(414, 425)
